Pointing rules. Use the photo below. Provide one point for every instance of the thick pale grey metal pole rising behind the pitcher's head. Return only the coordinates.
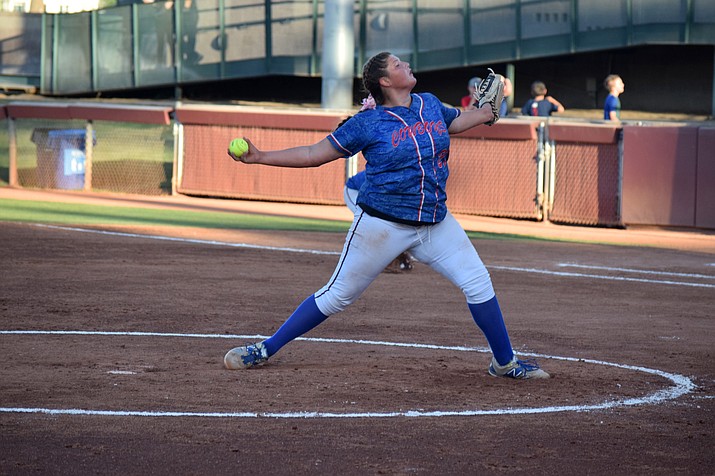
(338, 55)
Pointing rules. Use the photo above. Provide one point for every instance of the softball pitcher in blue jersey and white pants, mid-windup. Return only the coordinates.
(404, 138)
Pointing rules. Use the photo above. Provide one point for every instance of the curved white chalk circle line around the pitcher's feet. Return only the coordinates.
(681, 385)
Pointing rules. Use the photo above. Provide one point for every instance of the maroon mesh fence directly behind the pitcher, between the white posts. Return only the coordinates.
(492, 169)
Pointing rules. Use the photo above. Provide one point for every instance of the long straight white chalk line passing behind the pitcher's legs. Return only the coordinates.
(336, 253)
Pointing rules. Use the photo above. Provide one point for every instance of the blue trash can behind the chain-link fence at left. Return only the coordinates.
(60, 157)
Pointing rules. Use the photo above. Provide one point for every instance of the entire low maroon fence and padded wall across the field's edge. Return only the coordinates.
(582, 173)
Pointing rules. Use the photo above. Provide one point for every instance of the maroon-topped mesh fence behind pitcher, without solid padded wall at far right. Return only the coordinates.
(568, 173)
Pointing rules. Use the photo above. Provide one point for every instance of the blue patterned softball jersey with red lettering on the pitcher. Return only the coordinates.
(406, 151)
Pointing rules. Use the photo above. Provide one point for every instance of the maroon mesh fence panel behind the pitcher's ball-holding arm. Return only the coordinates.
(208, 170)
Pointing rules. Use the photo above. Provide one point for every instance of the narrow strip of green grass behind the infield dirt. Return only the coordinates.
(58, 213)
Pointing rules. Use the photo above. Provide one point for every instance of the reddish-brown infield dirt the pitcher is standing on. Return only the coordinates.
(652, 309)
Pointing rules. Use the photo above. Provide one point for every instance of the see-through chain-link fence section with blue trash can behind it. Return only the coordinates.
(120, 157)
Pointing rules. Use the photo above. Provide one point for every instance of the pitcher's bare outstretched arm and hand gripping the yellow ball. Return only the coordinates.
(297, 157)
